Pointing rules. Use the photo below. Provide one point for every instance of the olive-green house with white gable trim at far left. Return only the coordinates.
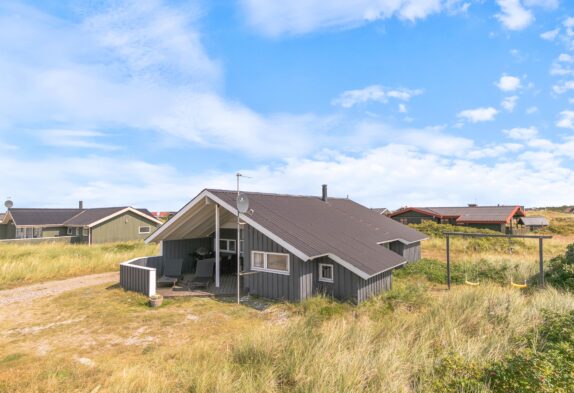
(98, 225)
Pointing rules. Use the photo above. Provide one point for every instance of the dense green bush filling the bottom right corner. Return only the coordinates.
(544, 363)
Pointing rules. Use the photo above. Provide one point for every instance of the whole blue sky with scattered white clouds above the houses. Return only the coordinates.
(390, 102)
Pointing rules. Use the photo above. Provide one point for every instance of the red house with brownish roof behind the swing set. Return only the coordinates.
(497, 218)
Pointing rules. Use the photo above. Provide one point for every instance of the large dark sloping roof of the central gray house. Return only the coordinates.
(340, 227)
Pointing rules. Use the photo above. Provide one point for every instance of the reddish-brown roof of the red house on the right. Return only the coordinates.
(474, 214)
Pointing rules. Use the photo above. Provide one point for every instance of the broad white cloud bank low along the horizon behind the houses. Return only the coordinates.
(102, 181)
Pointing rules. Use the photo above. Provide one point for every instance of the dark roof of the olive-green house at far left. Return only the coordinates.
(65, 217)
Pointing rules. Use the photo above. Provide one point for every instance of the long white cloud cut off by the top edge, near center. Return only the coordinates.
(275, 18)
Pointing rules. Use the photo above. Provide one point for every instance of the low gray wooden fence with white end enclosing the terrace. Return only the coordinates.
(140, 275)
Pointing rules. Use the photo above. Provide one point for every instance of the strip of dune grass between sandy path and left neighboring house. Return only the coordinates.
(22, 264)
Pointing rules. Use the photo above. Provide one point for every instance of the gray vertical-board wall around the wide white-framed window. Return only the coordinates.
(273, 285)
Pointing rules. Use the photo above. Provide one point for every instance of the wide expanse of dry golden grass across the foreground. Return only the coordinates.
(201, 345)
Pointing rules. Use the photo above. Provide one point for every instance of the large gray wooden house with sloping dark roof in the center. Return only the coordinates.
(294, 247)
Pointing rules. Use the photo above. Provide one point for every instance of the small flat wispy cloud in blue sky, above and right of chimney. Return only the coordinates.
(374, 93)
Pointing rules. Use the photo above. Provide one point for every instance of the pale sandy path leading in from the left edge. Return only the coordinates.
(52, 288)
